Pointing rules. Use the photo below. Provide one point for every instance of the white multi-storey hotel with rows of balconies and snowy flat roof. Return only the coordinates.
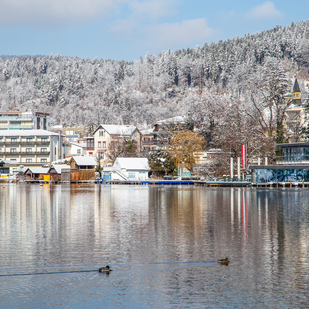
(30, 147)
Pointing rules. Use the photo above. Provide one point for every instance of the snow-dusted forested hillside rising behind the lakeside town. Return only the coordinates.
(214, 83)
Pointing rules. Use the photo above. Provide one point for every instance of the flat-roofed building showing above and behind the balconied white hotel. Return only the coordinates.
(24, 121)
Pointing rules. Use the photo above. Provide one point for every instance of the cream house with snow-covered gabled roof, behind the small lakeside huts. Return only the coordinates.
(105, 134)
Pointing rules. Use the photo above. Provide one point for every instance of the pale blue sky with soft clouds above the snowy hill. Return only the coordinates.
(128, 29)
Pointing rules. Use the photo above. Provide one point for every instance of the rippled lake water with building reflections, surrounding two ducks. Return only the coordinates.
(162, 242)
